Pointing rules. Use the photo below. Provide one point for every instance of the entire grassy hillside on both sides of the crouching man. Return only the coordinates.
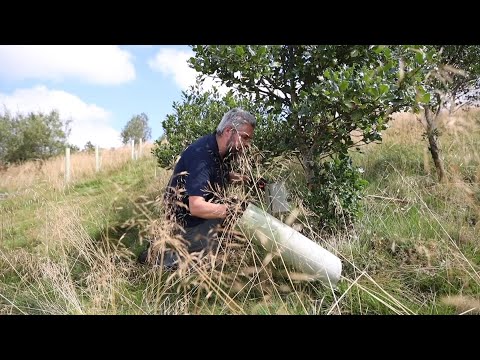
(72, 249)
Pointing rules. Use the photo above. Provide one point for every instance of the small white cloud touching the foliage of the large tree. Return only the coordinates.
(173, 63)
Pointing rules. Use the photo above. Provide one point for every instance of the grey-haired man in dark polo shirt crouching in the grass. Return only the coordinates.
(200, 175)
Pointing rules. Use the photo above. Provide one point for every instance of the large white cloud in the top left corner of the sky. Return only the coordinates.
(96, 64)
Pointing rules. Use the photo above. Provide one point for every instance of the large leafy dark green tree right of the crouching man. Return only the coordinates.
(320, 94)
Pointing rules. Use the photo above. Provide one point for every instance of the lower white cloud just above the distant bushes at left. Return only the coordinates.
(89, 121)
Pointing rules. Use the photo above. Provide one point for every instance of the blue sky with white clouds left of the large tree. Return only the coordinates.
(99, 87)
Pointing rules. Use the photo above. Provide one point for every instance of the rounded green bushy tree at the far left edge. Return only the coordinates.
(34, 136)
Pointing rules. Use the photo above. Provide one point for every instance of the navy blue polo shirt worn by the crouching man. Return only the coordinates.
(199, 172)
